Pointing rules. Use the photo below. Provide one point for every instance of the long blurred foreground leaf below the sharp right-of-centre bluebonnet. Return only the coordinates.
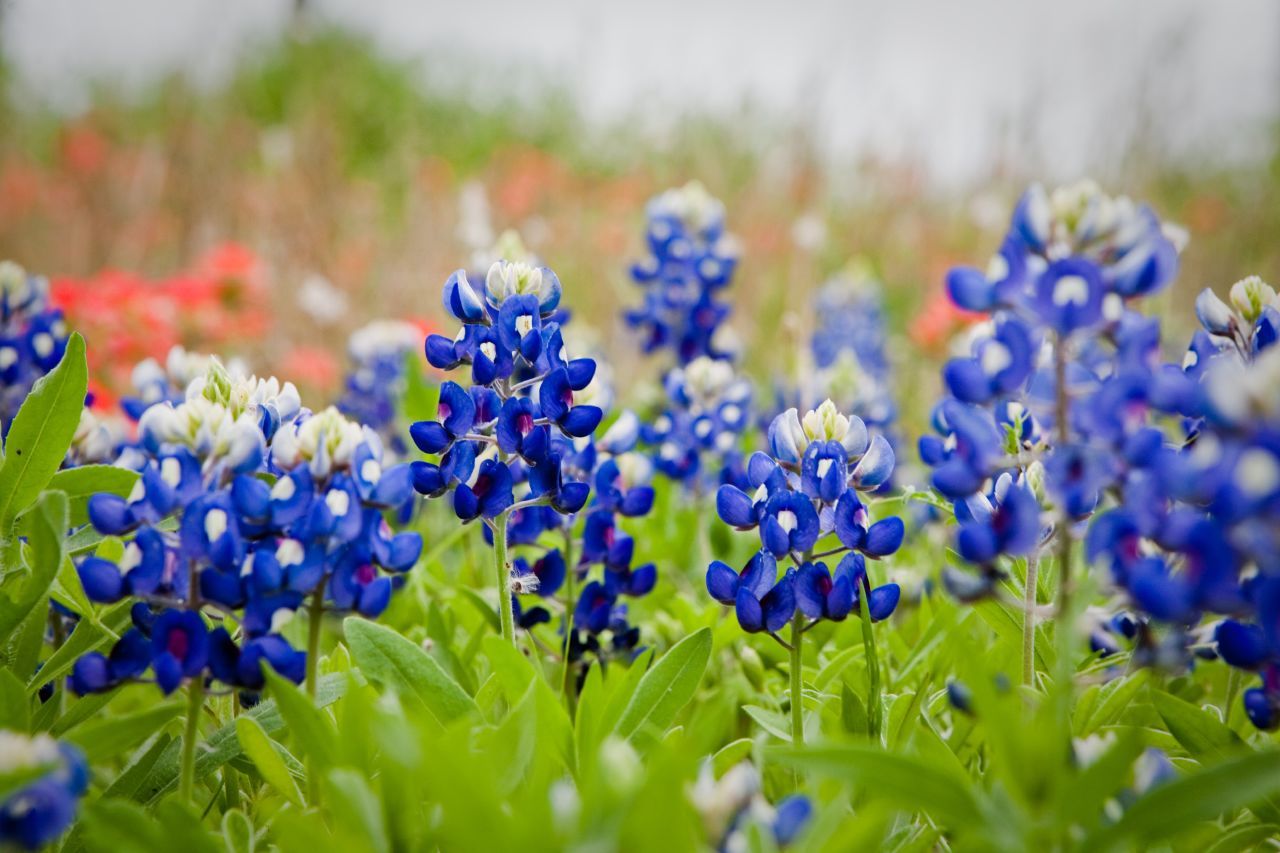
(906, 782)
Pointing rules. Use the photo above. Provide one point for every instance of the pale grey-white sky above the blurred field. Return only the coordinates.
(950, 83)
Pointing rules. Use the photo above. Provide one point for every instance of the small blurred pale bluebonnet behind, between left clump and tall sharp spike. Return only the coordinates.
(376, 384)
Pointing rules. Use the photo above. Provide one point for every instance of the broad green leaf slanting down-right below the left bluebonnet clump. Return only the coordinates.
(390, 658)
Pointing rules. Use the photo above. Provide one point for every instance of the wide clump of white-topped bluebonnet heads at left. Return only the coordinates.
(245, 507)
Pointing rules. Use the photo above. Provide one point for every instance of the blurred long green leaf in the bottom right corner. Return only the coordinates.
(1180, 805)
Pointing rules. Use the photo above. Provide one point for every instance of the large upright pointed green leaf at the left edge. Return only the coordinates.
(42, 435)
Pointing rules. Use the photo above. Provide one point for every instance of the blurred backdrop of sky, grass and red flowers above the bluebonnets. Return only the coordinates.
(339, 159)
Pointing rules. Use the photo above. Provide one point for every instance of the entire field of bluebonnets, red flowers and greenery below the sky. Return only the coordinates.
(638, 508)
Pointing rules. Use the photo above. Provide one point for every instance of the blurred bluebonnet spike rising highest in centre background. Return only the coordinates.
(692, 259)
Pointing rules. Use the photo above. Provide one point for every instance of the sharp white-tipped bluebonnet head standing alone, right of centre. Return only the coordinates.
(807, 489)
